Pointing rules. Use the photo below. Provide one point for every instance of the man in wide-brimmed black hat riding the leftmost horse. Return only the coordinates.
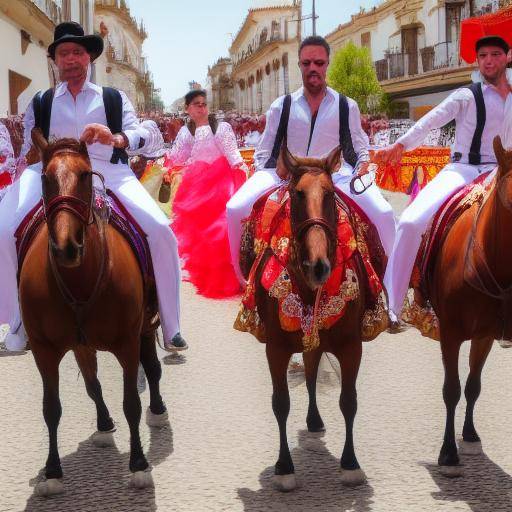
(77, 109)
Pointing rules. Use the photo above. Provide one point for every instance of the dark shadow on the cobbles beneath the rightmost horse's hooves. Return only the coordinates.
(484, 487)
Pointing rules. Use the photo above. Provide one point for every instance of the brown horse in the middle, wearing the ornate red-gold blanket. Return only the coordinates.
(314, 238)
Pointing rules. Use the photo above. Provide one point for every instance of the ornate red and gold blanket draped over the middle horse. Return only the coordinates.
(358, 251)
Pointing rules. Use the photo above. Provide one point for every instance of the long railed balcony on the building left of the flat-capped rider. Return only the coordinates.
(398, 65)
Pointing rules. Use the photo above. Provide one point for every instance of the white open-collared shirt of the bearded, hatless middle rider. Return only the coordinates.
(325, 136)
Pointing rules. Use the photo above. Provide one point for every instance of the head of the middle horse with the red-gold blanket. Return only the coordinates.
(313, 214)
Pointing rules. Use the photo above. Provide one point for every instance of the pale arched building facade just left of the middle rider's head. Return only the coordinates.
(264, 55)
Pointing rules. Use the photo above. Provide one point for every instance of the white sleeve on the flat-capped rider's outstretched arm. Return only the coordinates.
(439, 116)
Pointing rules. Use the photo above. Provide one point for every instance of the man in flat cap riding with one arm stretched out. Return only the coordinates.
(479, 114)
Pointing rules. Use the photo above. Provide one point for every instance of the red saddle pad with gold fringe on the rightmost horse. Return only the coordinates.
(423, 316)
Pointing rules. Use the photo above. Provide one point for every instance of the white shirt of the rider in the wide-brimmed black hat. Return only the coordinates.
(70, 116)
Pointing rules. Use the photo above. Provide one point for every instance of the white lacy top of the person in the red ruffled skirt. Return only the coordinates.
(206, 146)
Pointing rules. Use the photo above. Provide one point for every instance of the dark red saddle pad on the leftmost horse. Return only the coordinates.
(107, 207)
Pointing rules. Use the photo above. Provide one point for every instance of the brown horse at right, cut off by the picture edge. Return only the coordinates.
(471, 292)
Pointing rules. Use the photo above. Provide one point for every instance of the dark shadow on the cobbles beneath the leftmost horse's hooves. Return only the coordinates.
(97, 479)
